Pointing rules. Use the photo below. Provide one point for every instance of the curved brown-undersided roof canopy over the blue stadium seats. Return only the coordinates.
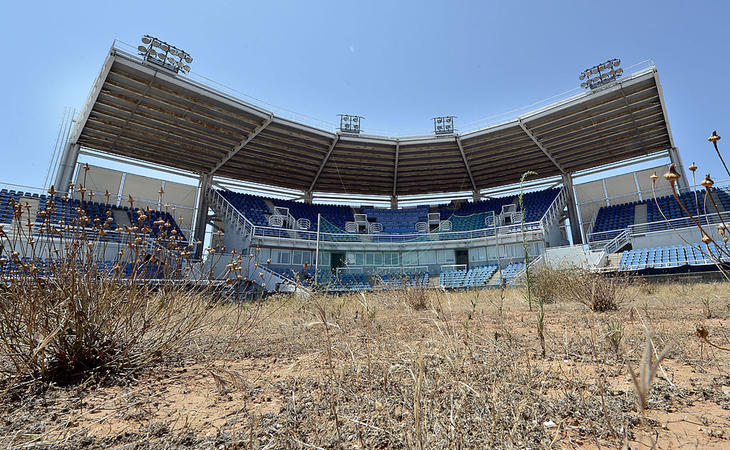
(138, 110)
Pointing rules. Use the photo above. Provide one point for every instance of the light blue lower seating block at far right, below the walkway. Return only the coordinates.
(667, 257)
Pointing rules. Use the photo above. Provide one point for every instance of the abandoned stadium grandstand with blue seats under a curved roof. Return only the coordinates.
(356, 211)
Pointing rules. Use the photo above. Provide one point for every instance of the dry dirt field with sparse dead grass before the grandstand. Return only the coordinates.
(399, 370)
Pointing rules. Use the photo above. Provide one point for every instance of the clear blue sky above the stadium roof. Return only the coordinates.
(397, 63)
